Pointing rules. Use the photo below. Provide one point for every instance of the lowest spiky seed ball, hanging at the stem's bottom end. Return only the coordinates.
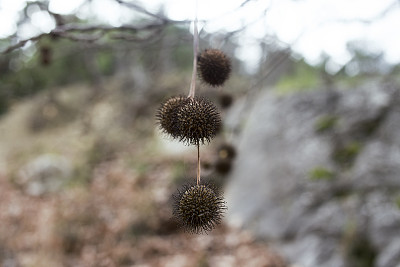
(198, 208)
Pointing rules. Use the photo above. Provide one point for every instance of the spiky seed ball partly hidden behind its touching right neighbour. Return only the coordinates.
(167, 117)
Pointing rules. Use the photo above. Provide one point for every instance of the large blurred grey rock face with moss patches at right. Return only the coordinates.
(319, 173)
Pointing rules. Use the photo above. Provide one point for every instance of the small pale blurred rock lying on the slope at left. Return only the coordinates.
(45, 174)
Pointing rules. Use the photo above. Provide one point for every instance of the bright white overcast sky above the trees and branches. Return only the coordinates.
(311, 27)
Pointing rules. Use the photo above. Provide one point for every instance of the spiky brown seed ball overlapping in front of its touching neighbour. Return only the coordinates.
(199, 121)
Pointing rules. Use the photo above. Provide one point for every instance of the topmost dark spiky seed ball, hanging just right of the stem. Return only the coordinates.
(214, 67)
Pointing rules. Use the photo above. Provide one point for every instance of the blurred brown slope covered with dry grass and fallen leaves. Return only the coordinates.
(114, 209)
